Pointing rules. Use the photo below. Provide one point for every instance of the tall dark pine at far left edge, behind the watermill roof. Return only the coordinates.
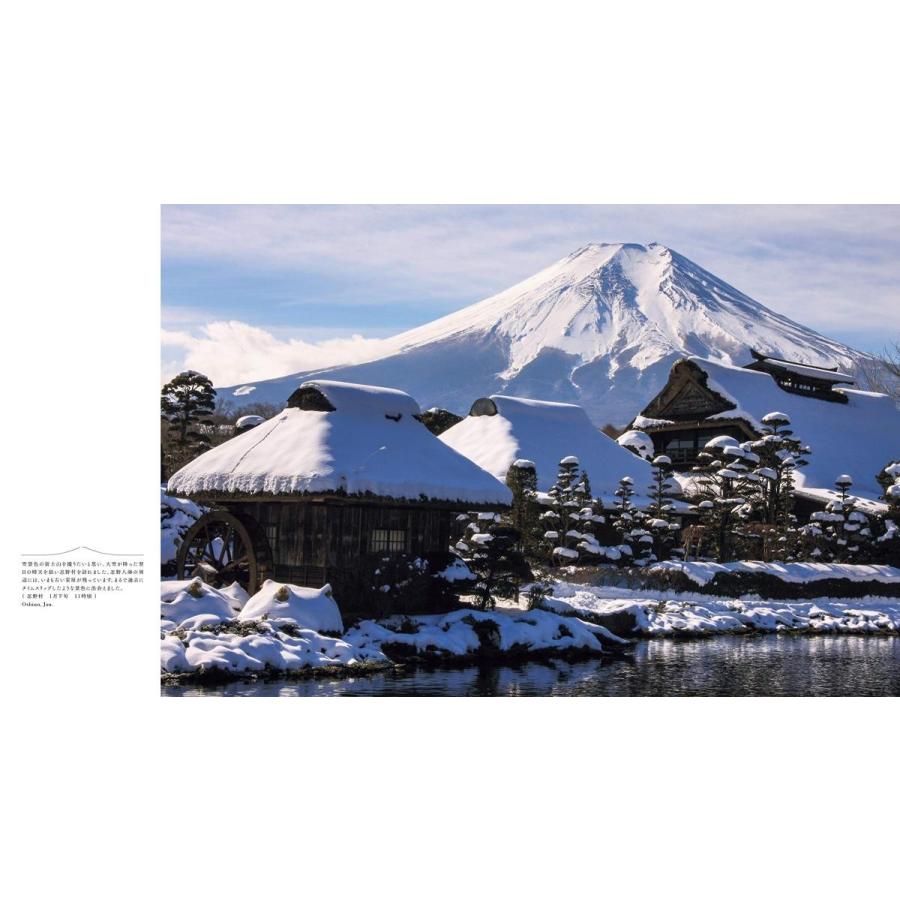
(187, 403)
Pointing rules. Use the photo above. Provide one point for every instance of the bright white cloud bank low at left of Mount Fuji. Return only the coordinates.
(233, 352)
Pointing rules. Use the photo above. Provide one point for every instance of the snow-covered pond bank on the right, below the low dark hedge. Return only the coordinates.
(667, 613)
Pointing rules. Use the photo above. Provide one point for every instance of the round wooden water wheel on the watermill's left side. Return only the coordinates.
(222, 548)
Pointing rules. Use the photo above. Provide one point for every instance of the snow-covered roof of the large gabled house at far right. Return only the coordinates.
(857, 438)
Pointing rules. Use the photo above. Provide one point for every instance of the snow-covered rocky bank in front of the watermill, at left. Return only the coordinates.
(281, 629)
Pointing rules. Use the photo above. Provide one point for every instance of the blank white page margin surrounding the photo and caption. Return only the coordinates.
(113, 109)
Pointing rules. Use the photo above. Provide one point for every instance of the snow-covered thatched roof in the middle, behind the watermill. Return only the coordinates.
(499, 430)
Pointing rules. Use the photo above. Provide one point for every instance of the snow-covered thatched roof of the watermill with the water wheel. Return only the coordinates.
(335, 436)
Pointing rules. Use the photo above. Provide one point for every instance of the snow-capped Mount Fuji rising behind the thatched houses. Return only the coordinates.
(601, 328)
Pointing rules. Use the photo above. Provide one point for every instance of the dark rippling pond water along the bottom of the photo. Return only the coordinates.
(766, 665)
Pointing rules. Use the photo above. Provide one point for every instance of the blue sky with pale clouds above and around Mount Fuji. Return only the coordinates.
(258, 291)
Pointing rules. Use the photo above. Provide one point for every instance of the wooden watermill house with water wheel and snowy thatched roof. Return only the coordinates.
(344, 475)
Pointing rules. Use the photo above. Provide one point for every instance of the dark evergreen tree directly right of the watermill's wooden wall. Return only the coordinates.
(489, 549)
